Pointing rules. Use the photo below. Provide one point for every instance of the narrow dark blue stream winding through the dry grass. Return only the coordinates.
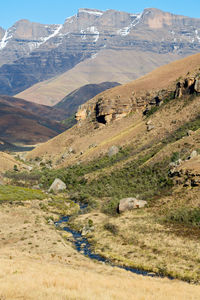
(83, 246)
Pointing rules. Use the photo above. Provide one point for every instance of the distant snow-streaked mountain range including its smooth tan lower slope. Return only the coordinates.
(96, 45)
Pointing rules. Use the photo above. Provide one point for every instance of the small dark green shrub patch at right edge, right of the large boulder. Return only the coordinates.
(184, 215)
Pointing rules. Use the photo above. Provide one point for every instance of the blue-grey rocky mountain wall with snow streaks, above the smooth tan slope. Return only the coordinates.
(32, 52)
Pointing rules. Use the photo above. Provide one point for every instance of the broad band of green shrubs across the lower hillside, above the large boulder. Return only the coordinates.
(132, 179)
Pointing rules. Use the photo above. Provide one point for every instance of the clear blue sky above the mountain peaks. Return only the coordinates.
(56, 11)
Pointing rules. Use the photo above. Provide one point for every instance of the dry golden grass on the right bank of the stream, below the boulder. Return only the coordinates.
(142, 242)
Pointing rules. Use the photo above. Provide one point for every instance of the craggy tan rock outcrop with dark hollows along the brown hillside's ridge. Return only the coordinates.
(105, 108)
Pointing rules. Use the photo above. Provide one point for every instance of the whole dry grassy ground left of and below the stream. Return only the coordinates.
(38, 263)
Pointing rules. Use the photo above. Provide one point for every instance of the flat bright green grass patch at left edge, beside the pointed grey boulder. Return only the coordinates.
(14, 193)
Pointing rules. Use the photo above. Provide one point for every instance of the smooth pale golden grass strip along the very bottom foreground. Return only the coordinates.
(31, 279)
